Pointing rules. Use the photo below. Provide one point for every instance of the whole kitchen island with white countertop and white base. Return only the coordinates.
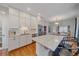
(46, 43)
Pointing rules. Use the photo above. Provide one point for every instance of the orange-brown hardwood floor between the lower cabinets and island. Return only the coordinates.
(28, 50)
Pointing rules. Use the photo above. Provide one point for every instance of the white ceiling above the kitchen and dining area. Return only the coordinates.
(48, 10)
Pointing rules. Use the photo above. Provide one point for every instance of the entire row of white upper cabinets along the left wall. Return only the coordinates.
(22, 20)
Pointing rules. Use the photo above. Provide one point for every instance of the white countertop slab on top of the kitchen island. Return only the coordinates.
(49, 41)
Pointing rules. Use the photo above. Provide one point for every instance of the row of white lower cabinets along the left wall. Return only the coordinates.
(19, 42)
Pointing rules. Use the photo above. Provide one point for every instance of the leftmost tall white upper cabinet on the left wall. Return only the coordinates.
(13, 18)
